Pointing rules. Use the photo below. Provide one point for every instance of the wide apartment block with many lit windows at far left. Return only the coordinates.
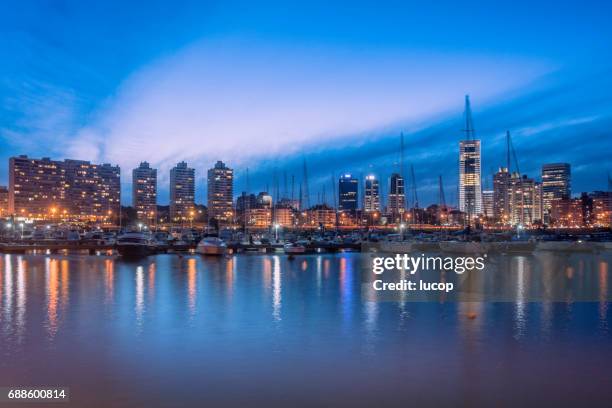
(70, 189)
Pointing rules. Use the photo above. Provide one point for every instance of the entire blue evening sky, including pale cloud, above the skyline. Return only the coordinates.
(265, 84)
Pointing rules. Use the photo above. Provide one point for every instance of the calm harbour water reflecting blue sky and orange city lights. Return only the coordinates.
(254, 329)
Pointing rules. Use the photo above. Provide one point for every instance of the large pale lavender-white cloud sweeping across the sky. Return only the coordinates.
(245, 102)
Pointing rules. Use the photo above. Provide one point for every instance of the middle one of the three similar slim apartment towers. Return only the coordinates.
(182, 192)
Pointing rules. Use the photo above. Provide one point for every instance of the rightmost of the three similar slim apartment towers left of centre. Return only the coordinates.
(220, 193)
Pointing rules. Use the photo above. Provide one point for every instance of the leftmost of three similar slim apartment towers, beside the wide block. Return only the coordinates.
(144, 191)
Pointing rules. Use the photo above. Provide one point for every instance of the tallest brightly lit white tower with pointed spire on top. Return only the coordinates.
(470, 190)
